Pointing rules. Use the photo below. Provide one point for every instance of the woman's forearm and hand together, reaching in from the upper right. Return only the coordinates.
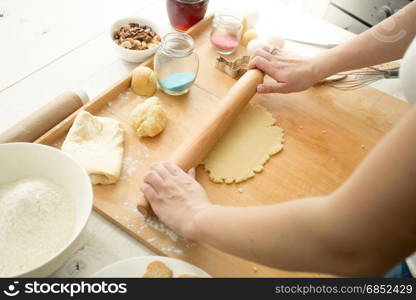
(384, 42)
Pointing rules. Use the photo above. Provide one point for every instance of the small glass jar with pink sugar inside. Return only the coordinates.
(227, 27)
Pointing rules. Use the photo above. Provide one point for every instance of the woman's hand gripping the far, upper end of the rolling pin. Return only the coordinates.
(292, 73)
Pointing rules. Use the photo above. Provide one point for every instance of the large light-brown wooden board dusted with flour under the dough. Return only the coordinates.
(327, 134)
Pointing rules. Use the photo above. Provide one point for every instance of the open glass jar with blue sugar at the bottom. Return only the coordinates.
(176, 63)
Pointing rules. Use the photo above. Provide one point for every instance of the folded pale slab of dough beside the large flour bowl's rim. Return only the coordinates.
(97, 144)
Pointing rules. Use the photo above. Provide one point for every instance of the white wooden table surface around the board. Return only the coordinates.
(50, 46)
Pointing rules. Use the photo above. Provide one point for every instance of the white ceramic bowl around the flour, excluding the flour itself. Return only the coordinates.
(20, 160)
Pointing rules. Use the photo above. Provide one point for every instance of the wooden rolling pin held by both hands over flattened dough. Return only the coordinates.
(191, 153)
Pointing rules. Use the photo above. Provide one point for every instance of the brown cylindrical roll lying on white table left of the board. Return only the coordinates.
(45, 118)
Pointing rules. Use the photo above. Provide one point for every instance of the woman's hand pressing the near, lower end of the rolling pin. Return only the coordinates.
(175, 196)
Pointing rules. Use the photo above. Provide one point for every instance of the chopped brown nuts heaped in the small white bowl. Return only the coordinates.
(136, 37)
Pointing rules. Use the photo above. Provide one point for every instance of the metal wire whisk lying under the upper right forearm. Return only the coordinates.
(360, 78)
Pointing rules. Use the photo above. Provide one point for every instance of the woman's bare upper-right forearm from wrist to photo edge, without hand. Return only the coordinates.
(387, 41)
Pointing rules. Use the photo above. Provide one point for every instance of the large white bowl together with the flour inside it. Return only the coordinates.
(45, 201)
